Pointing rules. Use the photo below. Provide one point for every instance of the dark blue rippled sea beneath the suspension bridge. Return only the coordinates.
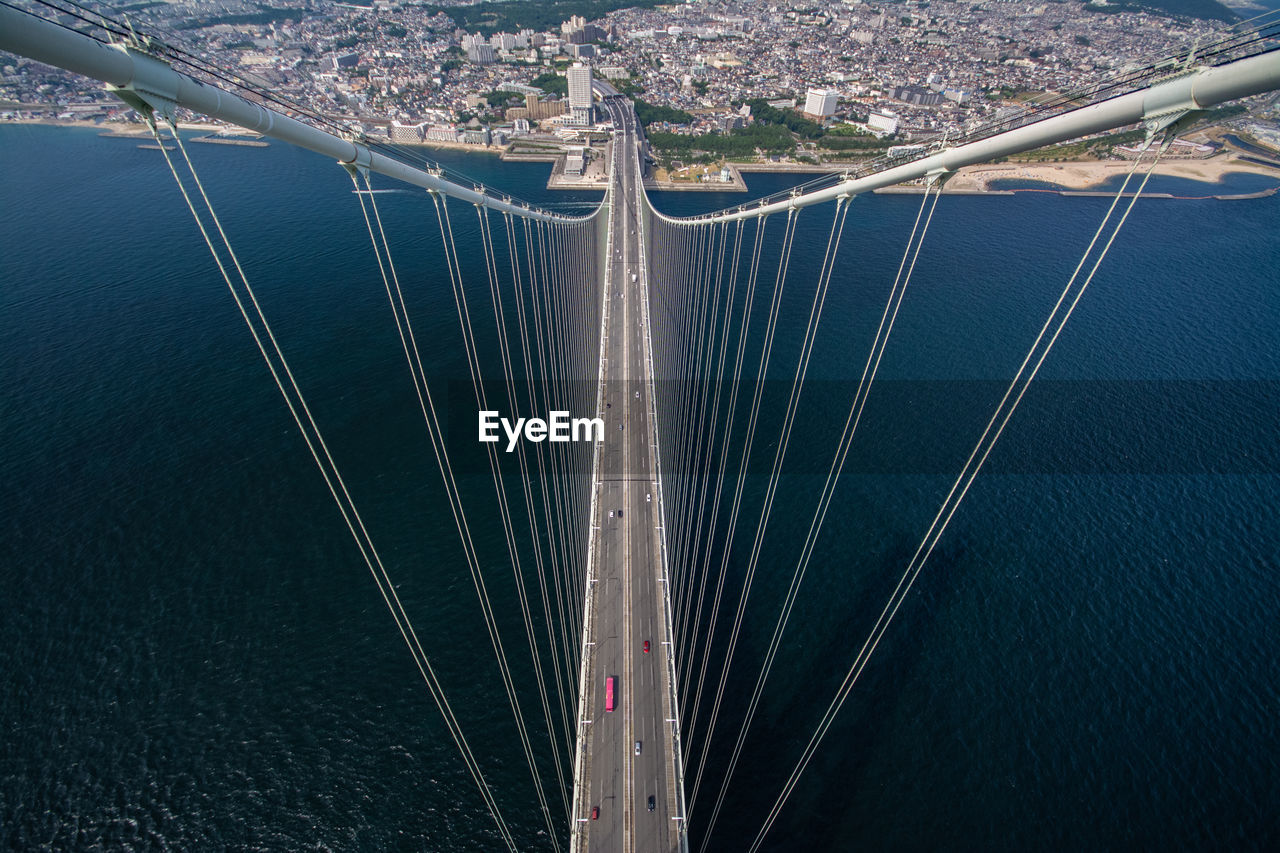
(195, 658)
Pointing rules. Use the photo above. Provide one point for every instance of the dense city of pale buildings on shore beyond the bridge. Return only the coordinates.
(733, 80)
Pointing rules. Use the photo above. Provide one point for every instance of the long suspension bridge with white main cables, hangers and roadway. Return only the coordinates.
(620, 549)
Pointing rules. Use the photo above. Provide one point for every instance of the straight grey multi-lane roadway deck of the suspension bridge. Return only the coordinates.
(628, 608)
